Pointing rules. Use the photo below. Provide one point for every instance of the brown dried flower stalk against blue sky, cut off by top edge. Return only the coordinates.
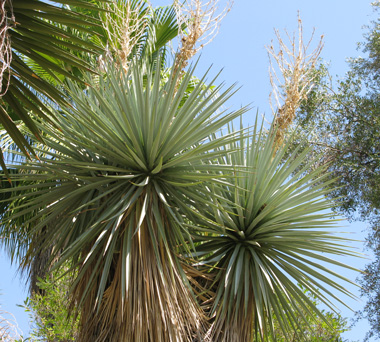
(202, 22)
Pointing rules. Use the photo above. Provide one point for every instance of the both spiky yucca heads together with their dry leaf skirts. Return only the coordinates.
(140, 192)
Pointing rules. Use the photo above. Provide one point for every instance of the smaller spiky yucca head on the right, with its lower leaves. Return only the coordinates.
(265, 235)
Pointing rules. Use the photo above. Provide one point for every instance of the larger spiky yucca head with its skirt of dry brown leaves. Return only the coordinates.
(109, 191)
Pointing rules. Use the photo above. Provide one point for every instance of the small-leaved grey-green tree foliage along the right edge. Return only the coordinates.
(342, 121)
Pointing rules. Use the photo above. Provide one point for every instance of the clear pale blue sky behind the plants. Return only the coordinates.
(239, 50)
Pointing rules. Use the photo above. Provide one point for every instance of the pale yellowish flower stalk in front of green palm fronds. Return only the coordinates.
(124, 26)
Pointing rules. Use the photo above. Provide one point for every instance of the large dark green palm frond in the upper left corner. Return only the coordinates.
(34, 33)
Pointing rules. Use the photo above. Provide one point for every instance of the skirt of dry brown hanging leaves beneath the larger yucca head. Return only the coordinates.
(157, 306)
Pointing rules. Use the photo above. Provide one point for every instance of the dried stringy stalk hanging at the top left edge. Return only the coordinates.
(5, 45)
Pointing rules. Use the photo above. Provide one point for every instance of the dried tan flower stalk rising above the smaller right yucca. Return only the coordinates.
(291, 76)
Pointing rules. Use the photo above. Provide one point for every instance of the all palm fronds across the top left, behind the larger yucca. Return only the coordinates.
(42, 44)
